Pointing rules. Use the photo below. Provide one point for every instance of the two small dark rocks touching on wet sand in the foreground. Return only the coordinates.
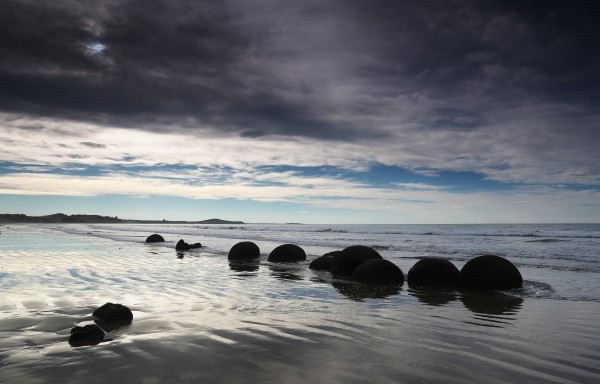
(107, 318)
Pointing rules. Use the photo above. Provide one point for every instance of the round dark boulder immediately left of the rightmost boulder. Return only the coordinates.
(433, 271)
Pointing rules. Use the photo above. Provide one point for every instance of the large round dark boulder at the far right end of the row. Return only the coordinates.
(490, 272)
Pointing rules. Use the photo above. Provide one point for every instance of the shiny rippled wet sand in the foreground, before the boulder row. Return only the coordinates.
(200, 319)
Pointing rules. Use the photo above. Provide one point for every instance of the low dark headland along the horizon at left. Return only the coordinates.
(60, 218)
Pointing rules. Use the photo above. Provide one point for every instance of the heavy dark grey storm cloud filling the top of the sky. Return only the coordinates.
(334, 69)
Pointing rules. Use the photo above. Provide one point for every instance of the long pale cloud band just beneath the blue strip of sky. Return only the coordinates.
(415, 205)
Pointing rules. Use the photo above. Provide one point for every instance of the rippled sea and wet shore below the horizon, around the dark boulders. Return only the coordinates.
(198, 318)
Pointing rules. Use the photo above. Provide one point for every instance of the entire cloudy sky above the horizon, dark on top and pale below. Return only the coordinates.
(337, 111)
